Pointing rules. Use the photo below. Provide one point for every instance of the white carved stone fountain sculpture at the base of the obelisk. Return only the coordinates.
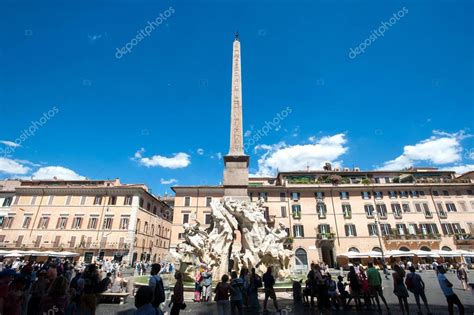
(238, 236)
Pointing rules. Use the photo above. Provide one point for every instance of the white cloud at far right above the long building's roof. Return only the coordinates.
(441, 148)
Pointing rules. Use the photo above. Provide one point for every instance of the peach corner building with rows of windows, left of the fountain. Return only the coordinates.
(134, 229)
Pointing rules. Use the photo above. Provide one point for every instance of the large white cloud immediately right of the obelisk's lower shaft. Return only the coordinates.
(283, 157)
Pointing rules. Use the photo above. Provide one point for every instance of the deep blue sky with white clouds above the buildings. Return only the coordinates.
(161, 111)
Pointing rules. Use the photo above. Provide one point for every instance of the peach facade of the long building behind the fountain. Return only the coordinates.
(321, 247)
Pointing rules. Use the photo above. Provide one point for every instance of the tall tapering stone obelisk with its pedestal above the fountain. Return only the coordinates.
(236, 162)
